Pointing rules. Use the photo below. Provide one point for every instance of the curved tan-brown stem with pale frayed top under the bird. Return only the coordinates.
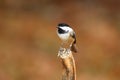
(69, 68)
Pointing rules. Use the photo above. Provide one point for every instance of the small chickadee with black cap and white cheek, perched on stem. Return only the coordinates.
(65, 33)
